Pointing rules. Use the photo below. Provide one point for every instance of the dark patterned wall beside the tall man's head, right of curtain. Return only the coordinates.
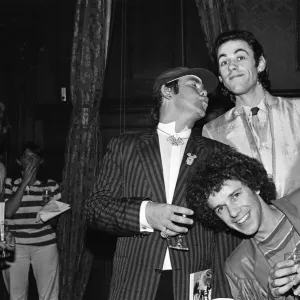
(274, 24)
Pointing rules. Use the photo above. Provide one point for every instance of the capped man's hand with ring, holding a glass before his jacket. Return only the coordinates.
(162, 217)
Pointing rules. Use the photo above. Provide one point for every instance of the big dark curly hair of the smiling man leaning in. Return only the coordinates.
(211, 175)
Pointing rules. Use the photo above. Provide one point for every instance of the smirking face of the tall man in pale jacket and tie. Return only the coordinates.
(238, 68)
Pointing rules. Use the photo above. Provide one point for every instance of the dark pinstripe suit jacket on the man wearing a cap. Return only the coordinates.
(131, 172)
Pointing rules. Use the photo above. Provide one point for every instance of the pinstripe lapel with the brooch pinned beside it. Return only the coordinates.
(185, 169)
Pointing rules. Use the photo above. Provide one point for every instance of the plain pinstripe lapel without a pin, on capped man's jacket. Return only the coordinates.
(148, 149)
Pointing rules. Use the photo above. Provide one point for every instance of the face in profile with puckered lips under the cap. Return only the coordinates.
(192, 97)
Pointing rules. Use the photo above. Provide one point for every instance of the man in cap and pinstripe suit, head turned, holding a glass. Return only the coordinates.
(140, 196)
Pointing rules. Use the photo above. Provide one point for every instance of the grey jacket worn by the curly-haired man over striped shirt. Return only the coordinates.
(248, 279)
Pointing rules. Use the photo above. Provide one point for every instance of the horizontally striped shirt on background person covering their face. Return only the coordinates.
(23, 223)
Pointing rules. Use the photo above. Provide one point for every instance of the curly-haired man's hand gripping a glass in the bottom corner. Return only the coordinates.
(282, 278)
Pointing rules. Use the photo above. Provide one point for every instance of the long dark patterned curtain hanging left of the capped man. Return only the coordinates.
(83, 146)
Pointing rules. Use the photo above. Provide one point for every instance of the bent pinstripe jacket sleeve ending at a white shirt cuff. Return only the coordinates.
(106, 208)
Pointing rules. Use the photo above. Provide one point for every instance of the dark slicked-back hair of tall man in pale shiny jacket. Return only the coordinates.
(257, 48)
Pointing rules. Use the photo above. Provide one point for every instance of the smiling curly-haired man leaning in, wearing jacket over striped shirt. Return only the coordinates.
(232, 190)
